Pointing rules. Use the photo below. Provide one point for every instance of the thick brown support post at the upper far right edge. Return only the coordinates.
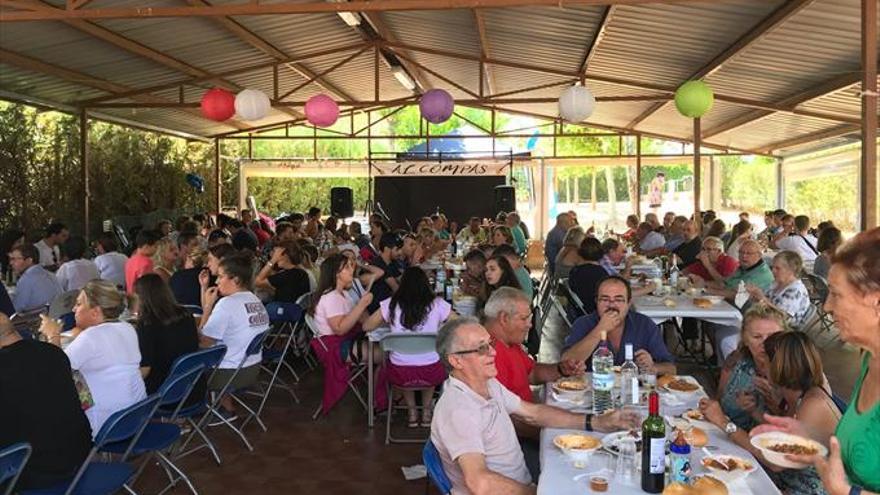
(869, 190)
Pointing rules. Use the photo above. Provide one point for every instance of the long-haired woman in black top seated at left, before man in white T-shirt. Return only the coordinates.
(165, 330)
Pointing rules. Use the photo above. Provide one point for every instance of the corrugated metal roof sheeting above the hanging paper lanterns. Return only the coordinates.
(653, 44)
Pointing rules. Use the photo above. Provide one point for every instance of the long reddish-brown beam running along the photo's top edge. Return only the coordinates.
(288, 7)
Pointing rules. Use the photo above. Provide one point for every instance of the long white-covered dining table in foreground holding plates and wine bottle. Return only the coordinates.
(561, 476)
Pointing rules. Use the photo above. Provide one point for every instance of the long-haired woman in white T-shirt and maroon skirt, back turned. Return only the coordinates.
(413, 308)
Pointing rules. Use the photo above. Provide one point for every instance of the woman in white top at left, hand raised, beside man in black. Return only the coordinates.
(105, 351)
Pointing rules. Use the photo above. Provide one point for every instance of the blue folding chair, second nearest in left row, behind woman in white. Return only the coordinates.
(158, 437)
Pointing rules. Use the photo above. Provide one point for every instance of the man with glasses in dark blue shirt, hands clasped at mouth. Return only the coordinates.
(622, 326)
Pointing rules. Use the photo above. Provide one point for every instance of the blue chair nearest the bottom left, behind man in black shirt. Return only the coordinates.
(106, 478)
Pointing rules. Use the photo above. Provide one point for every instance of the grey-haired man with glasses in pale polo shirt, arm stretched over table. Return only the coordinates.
(472, 429)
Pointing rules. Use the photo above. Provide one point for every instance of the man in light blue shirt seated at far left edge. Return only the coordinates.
(36, 287)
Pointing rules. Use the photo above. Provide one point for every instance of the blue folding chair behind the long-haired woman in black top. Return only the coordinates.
(207, 360)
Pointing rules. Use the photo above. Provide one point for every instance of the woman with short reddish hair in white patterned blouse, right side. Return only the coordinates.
(788, 293)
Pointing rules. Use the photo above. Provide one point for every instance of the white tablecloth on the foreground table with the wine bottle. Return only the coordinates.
(558, 471)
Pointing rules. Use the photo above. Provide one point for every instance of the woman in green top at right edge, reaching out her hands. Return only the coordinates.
(853, 465)
